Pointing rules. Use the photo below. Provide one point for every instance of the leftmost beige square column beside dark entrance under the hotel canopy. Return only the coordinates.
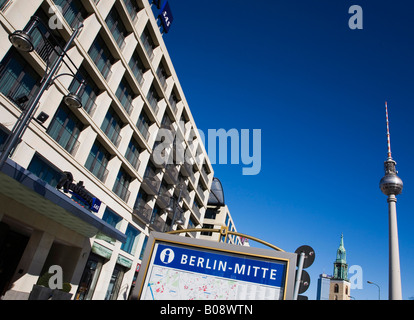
(30, 265)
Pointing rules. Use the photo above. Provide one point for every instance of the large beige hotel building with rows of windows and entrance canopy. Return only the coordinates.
(84, 187)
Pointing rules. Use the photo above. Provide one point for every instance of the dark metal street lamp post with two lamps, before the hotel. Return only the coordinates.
(22, 40)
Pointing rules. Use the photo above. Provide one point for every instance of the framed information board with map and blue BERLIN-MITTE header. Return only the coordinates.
(180, 268)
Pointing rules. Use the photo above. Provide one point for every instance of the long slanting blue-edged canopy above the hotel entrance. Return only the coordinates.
(24, 187)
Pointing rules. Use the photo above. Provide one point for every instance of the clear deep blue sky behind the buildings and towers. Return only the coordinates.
(317, 91)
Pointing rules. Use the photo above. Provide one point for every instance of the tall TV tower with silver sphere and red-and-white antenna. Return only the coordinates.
(391, 185)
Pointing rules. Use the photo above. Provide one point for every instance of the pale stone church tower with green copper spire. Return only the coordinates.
(340, 287)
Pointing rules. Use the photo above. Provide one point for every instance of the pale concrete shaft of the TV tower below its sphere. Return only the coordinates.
(395, 292)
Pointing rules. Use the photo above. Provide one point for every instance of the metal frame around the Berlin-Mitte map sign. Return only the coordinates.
(273, 256)
